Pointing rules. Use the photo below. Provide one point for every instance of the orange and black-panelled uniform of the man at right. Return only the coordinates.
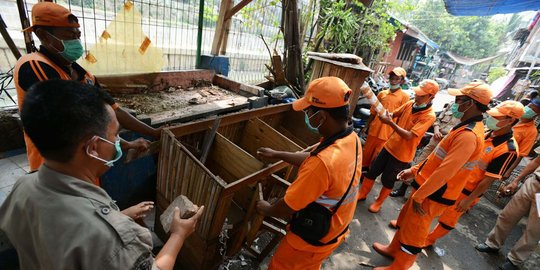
(497, 157)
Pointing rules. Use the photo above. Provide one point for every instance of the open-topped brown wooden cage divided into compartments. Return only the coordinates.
(214, 163)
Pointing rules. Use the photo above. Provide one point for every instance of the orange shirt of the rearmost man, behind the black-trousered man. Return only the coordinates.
(390, 101)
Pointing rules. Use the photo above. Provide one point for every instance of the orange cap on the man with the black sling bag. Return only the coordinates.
(324, 92)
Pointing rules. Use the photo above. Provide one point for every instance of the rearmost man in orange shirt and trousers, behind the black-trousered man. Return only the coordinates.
(378, 133)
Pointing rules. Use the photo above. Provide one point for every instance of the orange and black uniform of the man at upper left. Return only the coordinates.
(36, 67)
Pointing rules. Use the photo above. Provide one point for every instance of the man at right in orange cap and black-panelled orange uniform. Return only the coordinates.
(500, 151)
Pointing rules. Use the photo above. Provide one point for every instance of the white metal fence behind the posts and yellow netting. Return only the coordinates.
(171, 25)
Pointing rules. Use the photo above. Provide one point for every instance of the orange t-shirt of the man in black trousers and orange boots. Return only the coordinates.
(418, 123)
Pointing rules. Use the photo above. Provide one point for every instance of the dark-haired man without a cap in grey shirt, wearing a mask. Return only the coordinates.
(58, 218)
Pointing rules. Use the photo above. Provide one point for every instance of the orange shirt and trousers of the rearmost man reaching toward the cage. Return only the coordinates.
(378, 132)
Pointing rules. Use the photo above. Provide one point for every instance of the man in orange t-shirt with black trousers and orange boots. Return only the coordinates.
(413, 120)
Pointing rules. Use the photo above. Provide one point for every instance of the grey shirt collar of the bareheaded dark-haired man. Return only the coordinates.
(73, 186)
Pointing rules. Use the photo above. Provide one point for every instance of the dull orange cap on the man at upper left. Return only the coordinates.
(51, 14)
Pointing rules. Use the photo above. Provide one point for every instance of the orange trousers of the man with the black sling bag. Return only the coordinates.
(289, 258)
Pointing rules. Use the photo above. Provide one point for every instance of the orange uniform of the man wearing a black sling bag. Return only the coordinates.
(322, 178)
